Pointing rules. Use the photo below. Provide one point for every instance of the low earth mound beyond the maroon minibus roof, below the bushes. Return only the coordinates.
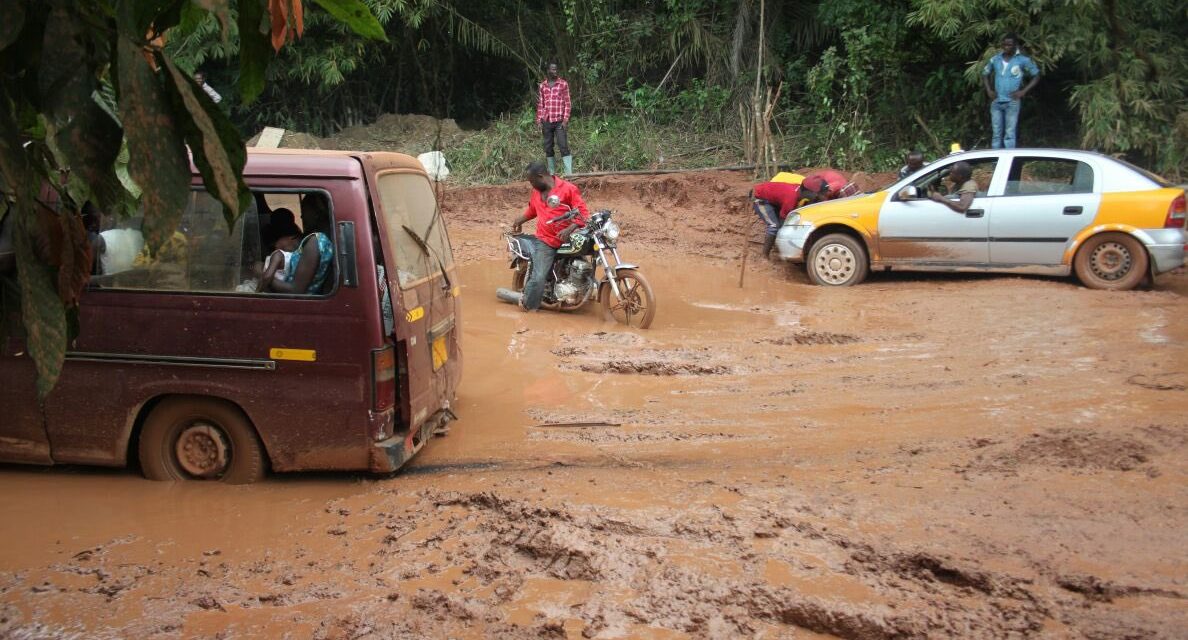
(406, 134)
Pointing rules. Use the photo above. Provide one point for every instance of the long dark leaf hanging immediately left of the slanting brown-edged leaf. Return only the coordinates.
(159, 159)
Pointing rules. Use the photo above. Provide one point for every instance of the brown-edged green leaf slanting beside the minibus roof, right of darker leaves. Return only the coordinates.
(218, 149)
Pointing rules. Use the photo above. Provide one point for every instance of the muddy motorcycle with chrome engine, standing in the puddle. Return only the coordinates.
(622, 289)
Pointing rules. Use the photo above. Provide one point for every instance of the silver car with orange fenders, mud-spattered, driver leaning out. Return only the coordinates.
(1037, 211)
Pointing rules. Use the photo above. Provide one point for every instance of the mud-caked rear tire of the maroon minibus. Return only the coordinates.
(214, 423)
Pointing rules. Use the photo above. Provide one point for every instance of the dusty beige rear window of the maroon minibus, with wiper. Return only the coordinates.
(412, 217)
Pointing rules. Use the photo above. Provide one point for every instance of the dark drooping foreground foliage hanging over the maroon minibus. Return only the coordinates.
(80, 81)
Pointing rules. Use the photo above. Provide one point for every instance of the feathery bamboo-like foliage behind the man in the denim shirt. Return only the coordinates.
(1129, 61)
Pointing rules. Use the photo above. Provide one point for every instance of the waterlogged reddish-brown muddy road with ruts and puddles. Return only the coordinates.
(918, 457)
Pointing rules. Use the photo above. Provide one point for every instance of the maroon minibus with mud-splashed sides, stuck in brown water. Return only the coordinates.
(186, 370)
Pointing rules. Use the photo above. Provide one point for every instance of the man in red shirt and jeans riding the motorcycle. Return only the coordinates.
(552, 199)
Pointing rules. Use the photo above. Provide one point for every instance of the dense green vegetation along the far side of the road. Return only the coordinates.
(860, 83)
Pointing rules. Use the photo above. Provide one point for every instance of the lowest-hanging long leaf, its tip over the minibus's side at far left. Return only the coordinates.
(42, 312)
